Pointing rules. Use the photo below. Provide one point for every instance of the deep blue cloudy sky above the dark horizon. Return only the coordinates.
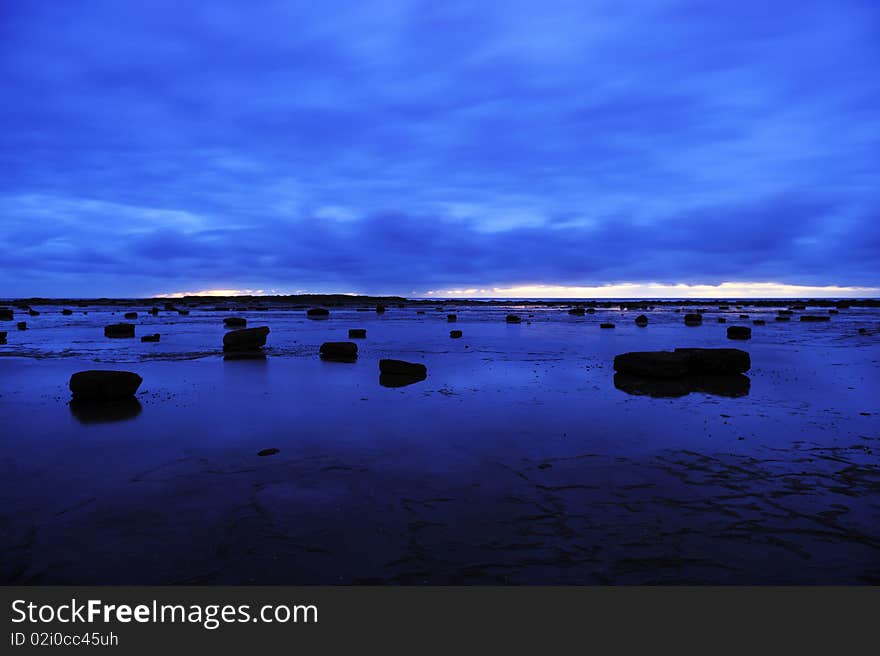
(407, 147)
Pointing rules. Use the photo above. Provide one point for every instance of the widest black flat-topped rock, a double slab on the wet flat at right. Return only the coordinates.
(683, 362)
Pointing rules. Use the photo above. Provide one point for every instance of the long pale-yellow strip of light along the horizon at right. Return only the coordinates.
(660, 290)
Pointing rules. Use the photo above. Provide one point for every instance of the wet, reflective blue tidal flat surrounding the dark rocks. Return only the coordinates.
(517, 460)
